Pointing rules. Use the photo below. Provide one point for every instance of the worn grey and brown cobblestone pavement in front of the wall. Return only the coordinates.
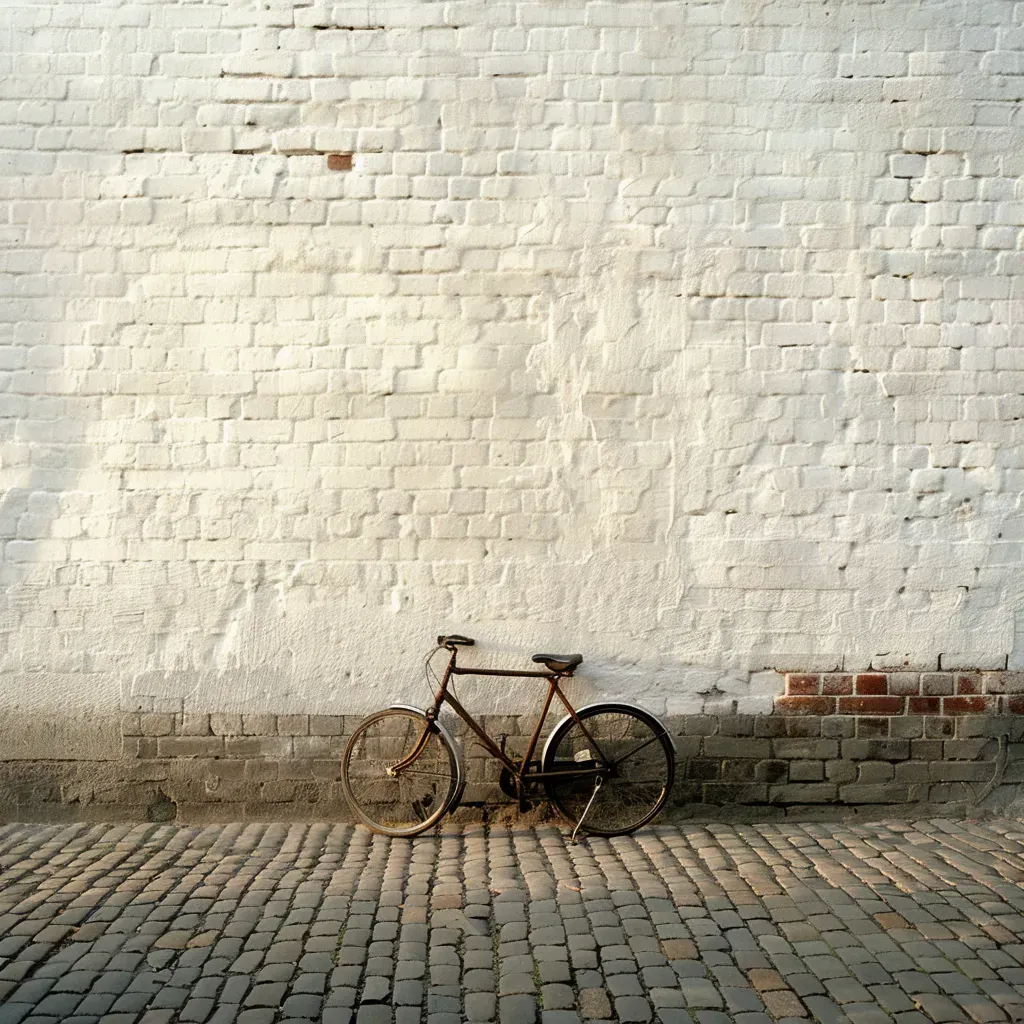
(262, 924)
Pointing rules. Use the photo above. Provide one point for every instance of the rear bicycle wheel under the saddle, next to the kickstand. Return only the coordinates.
(635, 792)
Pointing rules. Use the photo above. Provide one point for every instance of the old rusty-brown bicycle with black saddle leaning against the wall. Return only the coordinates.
(609, 767)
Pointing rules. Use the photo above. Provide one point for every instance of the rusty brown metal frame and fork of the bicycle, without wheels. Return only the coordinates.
(522, 771)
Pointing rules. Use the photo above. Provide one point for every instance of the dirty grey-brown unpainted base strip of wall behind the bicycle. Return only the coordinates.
(195, 770)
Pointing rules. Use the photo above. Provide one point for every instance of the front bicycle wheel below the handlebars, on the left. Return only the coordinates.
(415, 799)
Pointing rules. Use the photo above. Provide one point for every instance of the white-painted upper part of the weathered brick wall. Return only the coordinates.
(686, 335)
